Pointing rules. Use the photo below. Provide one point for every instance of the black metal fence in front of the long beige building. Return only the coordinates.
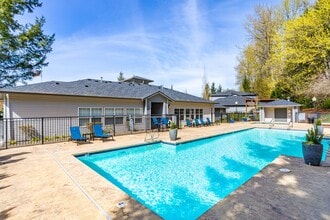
(43, 130)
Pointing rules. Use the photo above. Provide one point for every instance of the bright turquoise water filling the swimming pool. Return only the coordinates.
(184, 181)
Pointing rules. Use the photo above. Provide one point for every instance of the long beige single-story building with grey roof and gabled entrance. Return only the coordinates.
(99, 100)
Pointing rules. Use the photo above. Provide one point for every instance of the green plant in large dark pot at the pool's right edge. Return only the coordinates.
(313, 148)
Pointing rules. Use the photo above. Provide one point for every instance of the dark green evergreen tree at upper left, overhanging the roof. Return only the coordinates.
(23, 47)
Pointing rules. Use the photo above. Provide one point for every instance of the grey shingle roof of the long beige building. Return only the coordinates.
(102, 88)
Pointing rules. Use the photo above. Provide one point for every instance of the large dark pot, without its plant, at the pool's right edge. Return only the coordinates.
(312, 153)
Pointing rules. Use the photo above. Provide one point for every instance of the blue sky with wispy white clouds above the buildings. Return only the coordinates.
(169, 41)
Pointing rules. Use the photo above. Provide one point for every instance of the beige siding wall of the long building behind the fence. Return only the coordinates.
(20, 106)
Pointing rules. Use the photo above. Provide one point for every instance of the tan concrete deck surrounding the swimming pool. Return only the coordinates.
(48, 182)
